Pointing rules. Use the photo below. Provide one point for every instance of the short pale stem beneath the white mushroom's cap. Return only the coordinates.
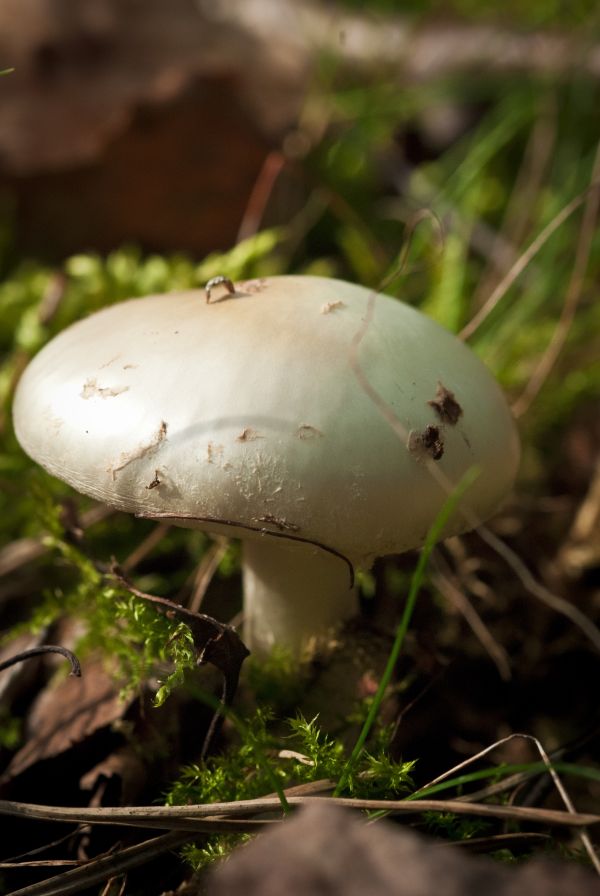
(294, 595)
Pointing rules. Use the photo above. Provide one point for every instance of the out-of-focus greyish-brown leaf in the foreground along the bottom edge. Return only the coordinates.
(327, 851)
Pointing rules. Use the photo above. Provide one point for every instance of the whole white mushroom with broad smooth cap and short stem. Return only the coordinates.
(248, 415)
